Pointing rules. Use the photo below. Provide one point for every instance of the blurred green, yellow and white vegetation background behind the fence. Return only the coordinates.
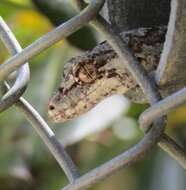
(26, 163)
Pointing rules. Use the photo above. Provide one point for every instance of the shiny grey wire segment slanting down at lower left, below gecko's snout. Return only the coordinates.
(50, 139)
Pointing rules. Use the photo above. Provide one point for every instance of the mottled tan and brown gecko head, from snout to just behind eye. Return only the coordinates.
(83, 86)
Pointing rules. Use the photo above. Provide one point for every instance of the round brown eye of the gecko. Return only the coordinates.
(86, 73)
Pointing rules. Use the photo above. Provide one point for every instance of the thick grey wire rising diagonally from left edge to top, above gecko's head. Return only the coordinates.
(51, 38)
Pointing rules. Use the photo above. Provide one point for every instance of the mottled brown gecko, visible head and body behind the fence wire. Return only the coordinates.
(97, 74)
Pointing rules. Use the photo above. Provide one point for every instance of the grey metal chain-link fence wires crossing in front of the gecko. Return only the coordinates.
(154, 134)
